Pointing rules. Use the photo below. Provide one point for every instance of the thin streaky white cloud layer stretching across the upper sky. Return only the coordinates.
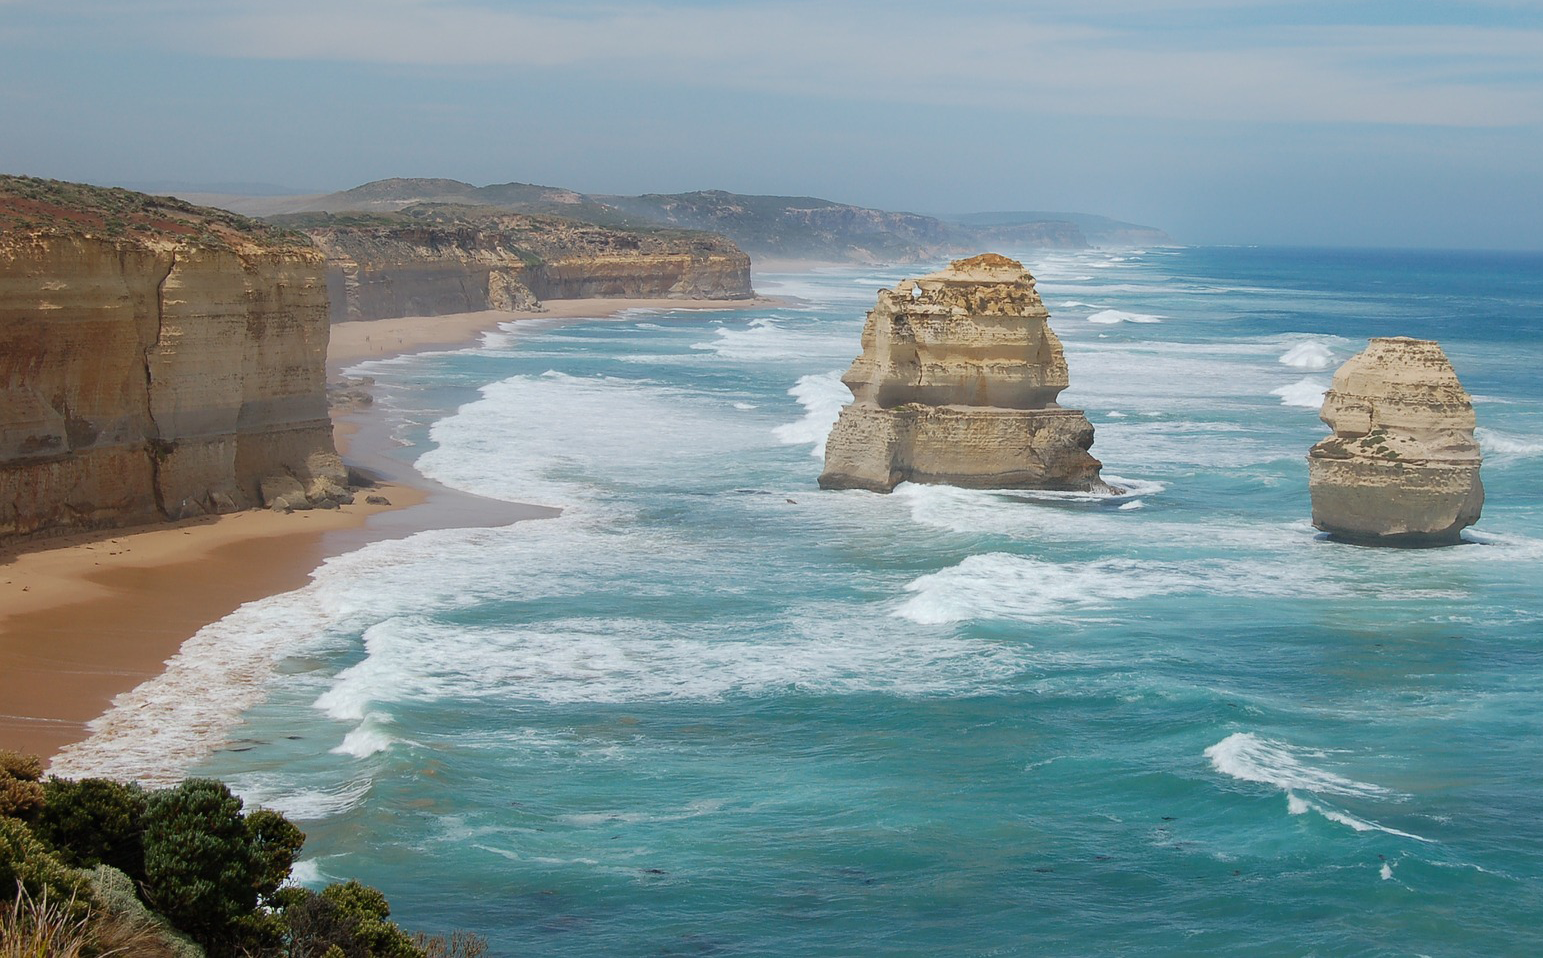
(1055, 59)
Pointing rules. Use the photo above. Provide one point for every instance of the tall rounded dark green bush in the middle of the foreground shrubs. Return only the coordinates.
(198, 862)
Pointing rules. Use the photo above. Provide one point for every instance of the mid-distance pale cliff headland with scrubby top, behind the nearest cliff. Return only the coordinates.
(428, 261)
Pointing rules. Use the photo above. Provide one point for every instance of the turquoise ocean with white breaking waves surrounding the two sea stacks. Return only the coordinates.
(714, 710)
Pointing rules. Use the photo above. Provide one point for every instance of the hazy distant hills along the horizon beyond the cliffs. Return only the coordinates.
(777, 228)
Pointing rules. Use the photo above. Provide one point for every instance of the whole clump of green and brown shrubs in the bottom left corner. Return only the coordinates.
(86, 858)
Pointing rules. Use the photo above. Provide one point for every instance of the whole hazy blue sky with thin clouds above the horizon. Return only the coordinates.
(1397, 123)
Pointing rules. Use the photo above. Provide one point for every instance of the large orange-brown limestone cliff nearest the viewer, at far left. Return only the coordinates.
(160, 360)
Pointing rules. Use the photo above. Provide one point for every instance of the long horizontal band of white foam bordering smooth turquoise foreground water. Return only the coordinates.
(612, 661)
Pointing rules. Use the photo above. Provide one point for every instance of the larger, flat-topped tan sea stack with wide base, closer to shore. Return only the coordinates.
(957, 385)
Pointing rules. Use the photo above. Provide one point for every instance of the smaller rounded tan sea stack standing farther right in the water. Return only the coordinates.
(1402, 467)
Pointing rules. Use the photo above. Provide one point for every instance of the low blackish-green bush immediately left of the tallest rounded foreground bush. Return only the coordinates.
(95, 823)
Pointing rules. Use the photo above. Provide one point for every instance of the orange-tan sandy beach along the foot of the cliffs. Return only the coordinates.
(89, 618)
